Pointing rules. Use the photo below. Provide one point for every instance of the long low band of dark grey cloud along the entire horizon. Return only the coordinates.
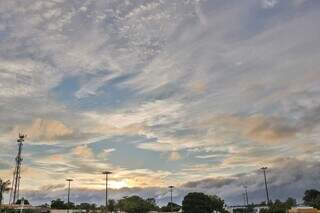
(288, 177)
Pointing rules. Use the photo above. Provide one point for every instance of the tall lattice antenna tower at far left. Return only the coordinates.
(15, 189)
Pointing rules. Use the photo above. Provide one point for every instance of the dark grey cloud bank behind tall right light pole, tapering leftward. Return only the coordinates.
(288, 177)
